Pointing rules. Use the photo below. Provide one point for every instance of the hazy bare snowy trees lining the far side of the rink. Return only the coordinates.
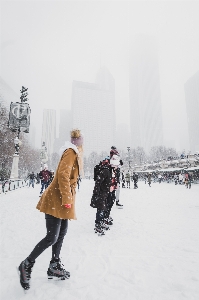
(30, 158)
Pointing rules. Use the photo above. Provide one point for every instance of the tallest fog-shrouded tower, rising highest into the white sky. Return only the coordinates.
(144, 94)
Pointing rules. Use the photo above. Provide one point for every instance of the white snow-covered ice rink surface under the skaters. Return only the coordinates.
(150, 253)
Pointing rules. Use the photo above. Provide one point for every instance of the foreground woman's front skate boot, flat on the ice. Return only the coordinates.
(56, 271)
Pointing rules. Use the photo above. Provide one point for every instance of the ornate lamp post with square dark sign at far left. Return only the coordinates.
(19, 120)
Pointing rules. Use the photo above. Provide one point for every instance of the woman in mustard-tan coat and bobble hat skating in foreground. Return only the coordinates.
(58, 204)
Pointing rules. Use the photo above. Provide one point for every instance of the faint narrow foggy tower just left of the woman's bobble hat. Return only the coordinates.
(64, 129)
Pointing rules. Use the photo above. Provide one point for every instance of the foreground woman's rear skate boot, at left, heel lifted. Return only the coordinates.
(25, 269)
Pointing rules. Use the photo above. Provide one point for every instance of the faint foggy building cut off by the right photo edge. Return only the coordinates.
(191, 88)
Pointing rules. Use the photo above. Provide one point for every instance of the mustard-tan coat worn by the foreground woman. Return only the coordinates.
(62, 189)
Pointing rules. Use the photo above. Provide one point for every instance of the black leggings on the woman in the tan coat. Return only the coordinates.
(56, 231)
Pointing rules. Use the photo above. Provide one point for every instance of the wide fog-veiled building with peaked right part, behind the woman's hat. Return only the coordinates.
(93, 111)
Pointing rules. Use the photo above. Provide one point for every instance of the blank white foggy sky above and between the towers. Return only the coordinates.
(45, 45)
